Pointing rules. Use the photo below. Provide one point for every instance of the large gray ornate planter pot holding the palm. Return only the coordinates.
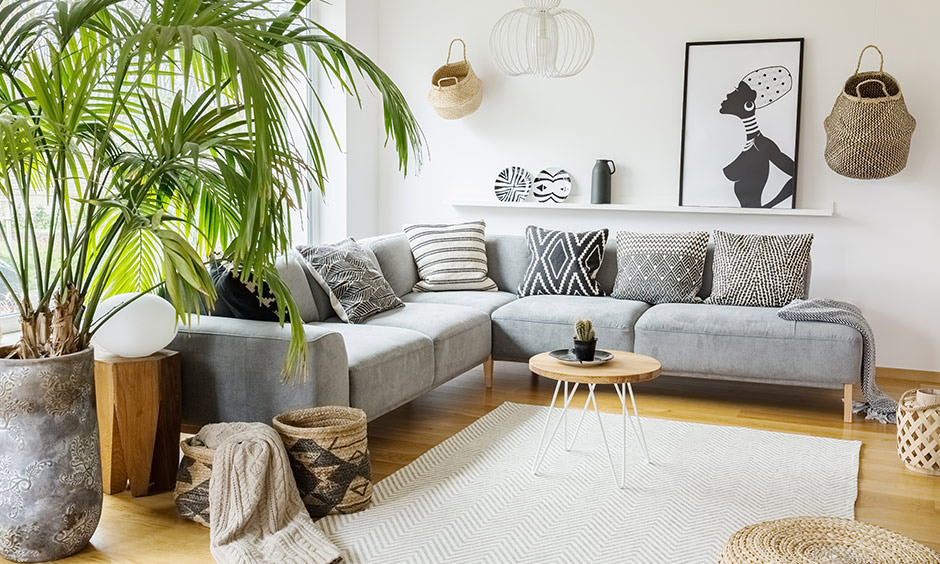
(50, 466)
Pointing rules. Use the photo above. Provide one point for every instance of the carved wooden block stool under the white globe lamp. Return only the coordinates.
(139, 405)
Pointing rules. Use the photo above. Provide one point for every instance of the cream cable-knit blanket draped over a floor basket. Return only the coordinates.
(255, 511)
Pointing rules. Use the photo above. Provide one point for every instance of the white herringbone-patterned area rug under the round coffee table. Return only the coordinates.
(474, 499)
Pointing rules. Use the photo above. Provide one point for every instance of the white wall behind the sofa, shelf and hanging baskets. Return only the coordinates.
(880, 251)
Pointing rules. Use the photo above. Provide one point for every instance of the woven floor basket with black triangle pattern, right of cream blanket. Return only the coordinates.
(329, 456)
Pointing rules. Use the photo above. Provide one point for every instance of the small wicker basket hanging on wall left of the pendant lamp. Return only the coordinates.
(456, 91)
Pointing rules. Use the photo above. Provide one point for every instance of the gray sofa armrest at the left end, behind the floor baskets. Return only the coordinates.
(233, 368)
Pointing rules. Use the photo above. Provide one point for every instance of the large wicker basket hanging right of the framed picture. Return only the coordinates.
(868, 133)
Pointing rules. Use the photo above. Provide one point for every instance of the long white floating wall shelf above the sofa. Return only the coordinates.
(827, 211)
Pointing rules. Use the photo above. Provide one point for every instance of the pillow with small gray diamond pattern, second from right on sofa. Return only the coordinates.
(660, 268)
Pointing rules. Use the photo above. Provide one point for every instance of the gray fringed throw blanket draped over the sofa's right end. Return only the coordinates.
(877, 404)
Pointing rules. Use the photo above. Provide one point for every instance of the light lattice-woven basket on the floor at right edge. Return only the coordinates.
(919, 434)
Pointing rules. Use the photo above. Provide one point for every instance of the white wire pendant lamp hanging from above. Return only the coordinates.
(542, 40)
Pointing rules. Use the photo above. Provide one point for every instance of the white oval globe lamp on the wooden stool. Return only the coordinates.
(141, 328)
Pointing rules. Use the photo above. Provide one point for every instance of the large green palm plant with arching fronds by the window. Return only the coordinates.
(155, 132)
